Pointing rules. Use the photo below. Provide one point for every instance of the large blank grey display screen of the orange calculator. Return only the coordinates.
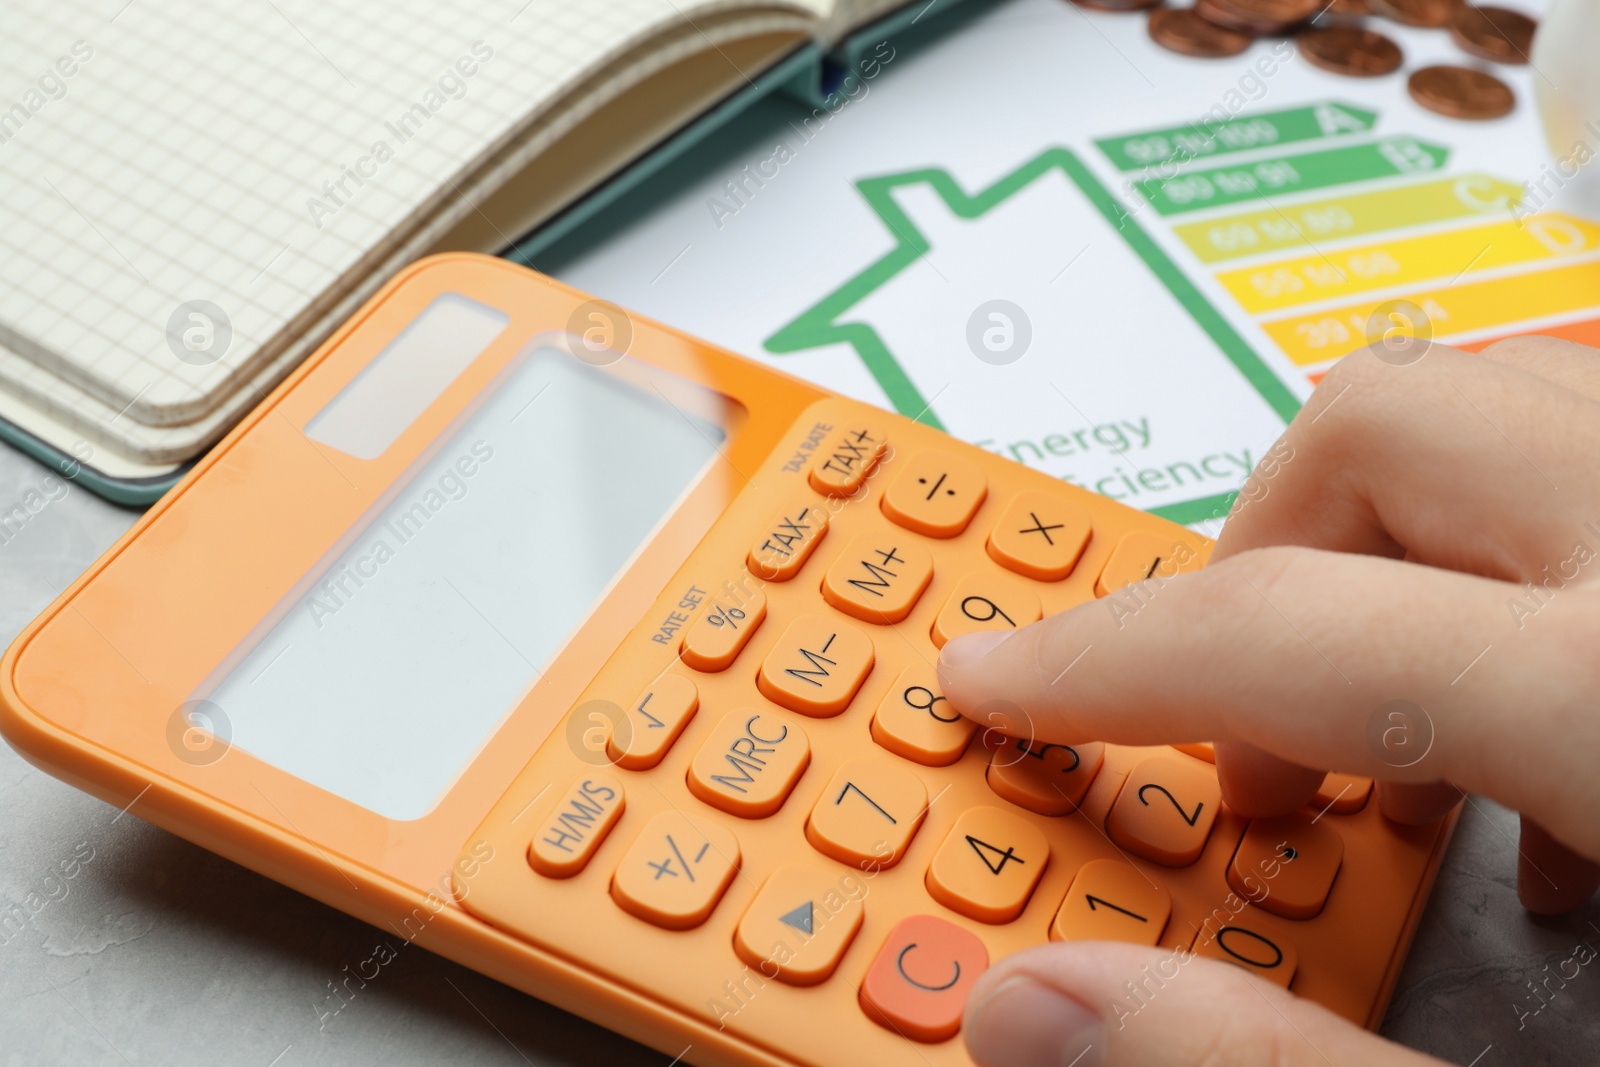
(423, 631)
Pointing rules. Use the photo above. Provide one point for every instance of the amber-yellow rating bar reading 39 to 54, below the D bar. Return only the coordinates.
(1449, 310)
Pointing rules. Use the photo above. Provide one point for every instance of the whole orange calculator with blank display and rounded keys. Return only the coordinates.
(602, 661)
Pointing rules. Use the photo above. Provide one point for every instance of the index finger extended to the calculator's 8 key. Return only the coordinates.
(1302, 652)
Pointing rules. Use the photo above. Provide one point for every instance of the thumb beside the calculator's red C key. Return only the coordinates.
(1098, 1004)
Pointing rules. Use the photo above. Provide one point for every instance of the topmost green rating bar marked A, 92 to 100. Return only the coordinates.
(1241, 134)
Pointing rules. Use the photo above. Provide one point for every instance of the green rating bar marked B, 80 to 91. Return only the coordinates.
(1223, 186)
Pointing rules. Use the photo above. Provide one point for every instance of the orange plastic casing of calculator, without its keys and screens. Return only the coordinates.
(90, 690)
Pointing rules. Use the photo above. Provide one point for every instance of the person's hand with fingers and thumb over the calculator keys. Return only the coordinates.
(1426, 533)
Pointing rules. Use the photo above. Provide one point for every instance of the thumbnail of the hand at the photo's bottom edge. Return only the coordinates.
(1030, 1025)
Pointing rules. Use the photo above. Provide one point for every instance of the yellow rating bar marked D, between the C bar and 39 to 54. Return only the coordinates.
(1407, 260)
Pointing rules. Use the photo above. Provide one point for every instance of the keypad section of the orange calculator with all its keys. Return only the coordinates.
(817, 815)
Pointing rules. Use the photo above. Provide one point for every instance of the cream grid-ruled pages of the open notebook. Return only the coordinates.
(196, 194)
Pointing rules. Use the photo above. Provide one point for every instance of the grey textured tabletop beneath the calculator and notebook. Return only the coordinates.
(159, 953)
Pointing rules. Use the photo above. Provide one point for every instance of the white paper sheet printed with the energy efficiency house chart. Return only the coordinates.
(1119, 266)
